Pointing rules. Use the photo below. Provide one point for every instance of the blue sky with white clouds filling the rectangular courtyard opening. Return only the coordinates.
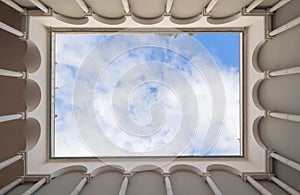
(147, 94)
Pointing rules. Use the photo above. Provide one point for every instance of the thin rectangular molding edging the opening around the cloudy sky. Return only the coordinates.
(242, 89)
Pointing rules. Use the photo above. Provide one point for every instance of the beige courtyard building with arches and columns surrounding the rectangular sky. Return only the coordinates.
(271, 164)
